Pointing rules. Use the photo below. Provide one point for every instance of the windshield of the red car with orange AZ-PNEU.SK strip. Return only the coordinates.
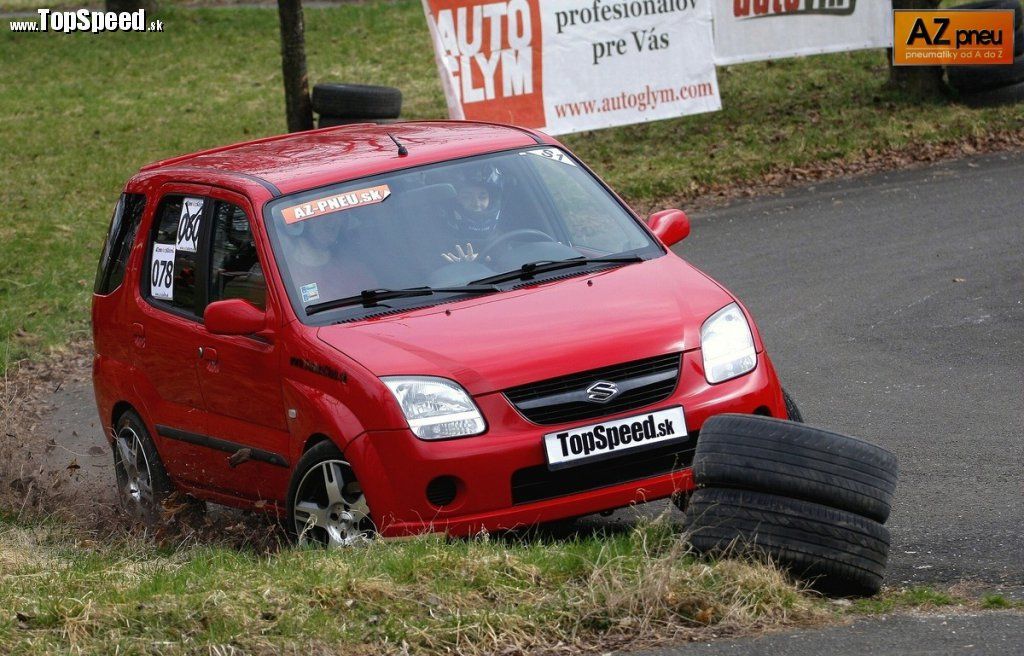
(350, 250)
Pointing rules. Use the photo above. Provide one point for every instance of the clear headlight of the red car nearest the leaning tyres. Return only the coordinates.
(728, 345)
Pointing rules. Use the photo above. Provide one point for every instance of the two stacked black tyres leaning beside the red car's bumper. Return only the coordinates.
(812, 500)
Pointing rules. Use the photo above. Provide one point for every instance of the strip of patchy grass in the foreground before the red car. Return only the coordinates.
(428, 595)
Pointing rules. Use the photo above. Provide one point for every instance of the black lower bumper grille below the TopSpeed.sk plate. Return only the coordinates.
(539, 484)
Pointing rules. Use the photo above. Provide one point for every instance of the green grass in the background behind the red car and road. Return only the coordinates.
(81, 113)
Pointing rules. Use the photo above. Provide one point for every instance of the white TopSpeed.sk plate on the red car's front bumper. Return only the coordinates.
(614, 439)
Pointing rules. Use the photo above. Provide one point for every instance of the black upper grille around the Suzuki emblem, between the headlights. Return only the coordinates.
(565, 400)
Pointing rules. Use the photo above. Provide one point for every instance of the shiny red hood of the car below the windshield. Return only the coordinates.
(577, 324)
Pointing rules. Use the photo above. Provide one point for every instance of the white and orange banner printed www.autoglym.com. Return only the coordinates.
(566, 66)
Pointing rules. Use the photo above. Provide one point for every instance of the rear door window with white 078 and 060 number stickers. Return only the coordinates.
(174, 266)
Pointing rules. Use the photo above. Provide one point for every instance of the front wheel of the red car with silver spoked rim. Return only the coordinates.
(326, 504)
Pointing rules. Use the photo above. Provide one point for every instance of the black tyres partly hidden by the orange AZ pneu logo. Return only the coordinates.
(983, 85)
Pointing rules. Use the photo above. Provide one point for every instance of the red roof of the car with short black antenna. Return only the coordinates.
(302, 161)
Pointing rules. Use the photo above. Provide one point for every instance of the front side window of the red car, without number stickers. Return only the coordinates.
(235, 269)
